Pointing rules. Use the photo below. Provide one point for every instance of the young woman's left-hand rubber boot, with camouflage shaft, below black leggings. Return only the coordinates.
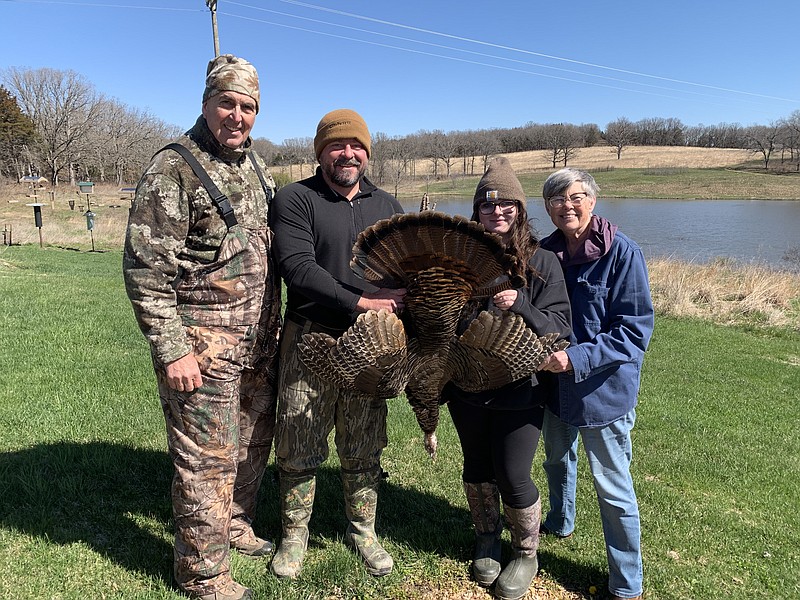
(484, 507)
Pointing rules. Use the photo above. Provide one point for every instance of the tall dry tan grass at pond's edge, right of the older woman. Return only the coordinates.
(726, 292)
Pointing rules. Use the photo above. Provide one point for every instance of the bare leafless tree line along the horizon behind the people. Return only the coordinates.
(55, 124)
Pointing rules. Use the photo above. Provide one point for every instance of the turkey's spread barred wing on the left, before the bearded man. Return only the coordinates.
(369, 357)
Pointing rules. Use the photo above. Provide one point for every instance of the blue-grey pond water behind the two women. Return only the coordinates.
(760, 231)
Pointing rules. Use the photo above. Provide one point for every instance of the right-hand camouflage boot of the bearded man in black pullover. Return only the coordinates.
(361, 502)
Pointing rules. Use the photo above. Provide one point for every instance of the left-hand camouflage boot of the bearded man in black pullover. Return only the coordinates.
(297, 501)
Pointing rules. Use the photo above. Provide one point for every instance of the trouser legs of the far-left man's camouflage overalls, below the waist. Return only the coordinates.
(219, 439)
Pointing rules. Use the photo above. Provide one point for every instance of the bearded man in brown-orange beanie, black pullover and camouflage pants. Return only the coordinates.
(316, 222)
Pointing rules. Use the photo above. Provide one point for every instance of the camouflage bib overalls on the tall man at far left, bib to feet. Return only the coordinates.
(209, 430)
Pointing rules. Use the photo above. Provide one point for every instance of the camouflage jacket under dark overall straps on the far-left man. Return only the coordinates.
(174, 230)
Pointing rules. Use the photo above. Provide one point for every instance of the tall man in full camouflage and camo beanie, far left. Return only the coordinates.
(205, 295)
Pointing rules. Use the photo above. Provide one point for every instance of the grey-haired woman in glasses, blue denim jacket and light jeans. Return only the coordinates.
(599, 373)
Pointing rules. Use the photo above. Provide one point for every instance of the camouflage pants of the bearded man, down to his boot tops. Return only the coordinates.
(309, 408)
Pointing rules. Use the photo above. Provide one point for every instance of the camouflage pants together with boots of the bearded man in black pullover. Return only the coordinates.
(308, 409)
